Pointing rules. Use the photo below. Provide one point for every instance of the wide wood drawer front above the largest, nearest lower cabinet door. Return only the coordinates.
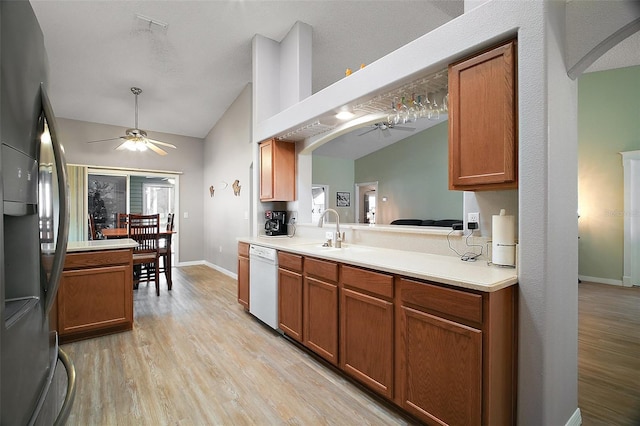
(460, 304)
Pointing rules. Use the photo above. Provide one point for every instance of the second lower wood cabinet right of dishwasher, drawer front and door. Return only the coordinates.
(321, 308)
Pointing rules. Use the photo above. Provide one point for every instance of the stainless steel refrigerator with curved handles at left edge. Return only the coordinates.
(33, 228)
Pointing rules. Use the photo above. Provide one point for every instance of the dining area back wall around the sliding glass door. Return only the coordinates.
(187, 158)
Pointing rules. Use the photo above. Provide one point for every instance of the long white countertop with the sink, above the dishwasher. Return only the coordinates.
(437, 268)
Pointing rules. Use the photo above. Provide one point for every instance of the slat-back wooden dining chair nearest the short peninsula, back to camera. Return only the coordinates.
(145, 230)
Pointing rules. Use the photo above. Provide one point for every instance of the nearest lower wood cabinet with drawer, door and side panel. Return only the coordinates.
(456, 353)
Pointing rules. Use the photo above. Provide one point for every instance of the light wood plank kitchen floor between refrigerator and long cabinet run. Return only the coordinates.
(196, 358)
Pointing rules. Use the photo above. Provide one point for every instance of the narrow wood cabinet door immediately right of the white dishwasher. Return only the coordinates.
(290, 303)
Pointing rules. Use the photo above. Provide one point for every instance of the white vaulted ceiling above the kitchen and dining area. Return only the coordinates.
(193, 58)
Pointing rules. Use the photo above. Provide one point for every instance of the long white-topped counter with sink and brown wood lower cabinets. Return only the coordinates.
(431, 333)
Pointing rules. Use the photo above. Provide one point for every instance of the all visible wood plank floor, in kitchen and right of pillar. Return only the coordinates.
(196, 358)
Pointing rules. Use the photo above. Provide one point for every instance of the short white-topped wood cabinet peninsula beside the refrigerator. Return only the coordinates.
(96, 290)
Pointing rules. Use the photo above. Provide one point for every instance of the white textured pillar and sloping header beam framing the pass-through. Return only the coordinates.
(547, 376)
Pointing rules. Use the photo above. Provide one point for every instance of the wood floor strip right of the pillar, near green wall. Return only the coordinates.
(609, 354)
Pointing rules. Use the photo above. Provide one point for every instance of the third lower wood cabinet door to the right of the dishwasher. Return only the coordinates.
(366, 340)
